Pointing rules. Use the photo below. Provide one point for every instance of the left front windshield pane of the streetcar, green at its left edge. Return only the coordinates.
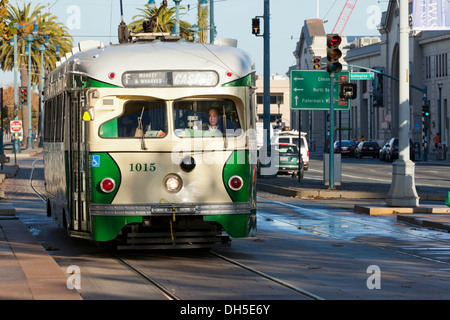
(141, 118)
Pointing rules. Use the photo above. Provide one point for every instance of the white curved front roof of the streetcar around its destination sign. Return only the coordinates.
(98, 63)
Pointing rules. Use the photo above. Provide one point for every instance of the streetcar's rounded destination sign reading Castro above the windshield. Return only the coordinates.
(148, 79)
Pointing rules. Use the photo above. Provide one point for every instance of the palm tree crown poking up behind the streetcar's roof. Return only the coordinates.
(166, 21)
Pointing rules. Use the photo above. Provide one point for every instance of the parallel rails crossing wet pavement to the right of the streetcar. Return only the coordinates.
(316, 231)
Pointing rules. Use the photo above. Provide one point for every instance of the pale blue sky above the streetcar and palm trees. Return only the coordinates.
(87, 19)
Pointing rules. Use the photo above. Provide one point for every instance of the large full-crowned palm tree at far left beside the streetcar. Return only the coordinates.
(46, 23)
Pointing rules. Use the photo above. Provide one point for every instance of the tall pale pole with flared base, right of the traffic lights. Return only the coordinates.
(403, 190)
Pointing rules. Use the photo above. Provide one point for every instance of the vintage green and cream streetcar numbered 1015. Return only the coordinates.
(151, 144)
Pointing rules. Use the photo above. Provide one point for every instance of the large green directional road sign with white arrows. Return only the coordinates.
(310, 90)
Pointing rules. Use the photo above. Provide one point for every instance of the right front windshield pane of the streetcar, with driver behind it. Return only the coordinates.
(206, 118)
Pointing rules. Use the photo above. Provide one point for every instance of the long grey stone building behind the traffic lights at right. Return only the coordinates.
(374, 114)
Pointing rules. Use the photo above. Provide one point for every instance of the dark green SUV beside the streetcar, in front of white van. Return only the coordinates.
(289, 160)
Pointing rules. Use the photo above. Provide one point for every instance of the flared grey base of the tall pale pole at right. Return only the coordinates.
(403, 190)
